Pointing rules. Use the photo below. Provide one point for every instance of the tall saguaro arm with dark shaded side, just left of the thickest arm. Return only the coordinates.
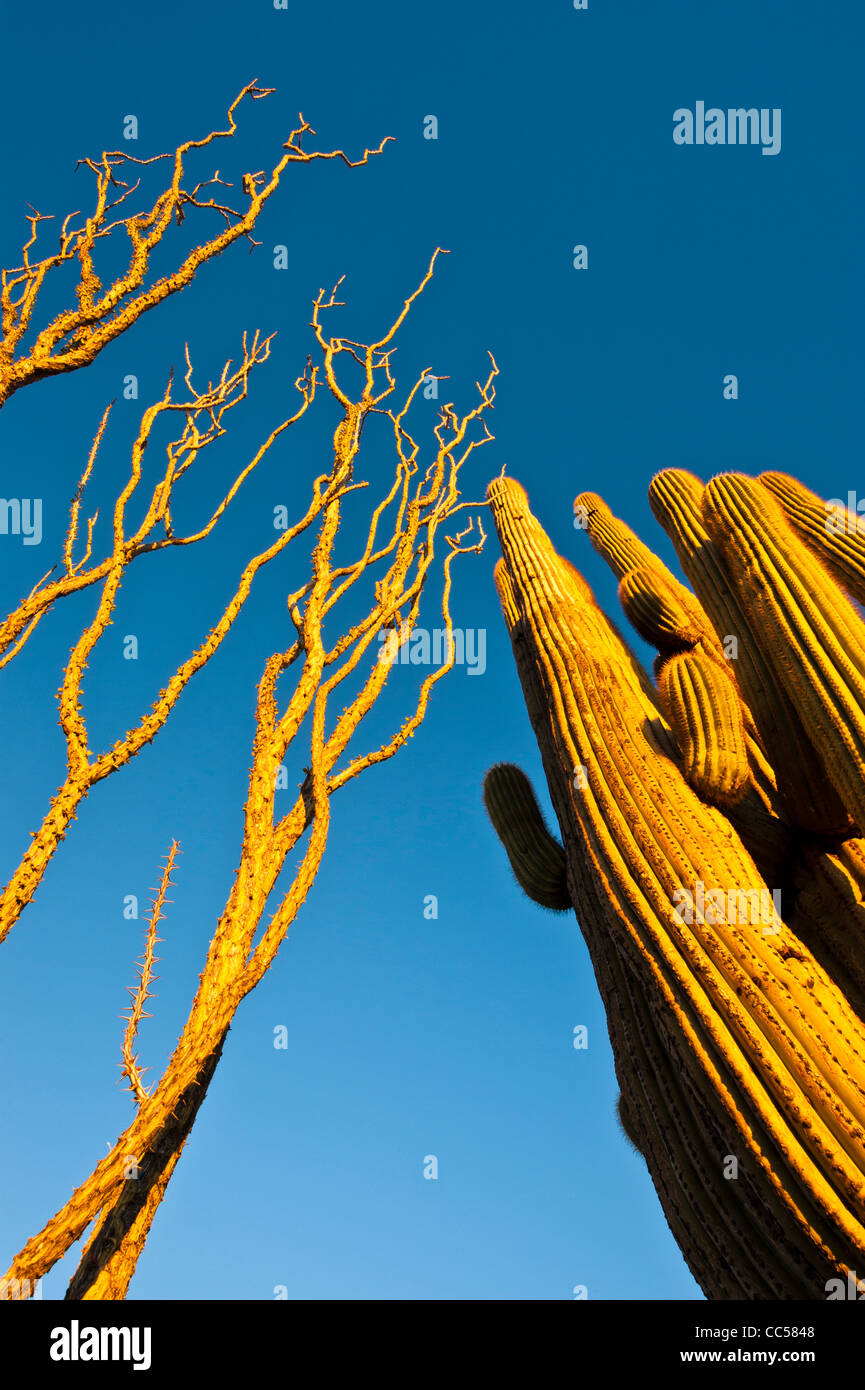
(806, 796)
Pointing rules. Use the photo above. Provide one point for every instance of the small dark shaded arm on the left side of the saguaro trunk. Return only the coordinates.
(536, 858)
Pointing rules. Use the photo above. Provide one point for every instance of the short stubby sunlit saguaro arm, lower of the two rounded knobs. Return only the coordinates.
(704, 711)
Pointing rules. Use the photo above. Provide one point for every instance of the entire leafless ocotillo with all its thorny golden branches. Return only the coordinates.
(339, 639)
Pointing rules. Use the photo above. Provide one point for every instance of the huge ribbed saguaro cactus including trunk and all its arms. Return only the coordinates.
(714, 854)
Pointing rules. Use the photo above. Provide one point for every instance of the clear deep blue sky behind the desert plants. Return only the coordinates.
(407, 1038)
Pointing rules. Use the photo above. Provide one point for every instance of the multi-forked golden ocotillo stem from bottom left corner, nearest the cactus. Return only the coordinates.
(237, 961)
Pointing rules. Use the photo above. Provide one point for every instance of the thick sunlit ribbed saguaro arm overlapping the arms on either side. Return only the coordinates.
(811, 633)
